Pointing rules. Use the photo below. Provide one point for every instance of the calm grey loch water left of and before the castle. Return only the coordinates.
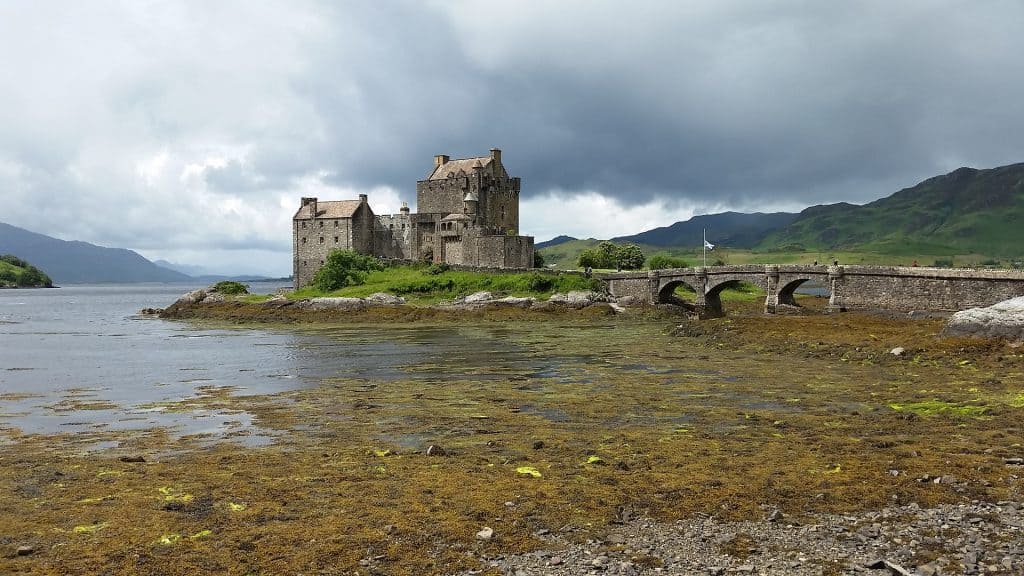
(81, 358)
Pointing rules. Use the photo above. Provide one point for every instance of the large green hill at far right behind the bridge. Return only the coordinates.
(967, 212)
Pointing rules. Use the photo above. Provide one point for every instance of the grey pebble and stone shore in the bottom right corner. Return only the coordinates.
(966, 539)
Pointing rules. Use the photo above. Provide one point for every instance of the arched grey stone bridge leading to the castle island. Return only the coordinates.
(849, 287)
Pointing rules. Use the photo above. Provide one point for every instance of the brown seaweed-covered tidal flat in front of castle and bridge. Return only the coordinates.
(566, 427)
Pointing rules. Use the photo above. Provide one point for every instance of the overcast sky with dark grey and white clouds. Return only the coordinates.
(190, 131)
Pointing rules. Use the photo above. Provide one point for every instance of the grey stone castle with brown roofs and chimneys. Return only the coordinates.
(467, 214)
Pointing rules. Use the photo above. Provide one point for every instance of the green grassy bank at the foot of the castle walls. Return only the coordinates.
(418, 285)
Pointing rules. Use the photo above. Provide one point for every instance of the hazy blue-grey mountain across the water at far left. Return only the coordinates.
(72, 263)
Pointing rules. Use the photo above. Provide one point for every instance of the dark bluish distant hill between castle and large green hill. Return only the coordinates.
(735, 230)
